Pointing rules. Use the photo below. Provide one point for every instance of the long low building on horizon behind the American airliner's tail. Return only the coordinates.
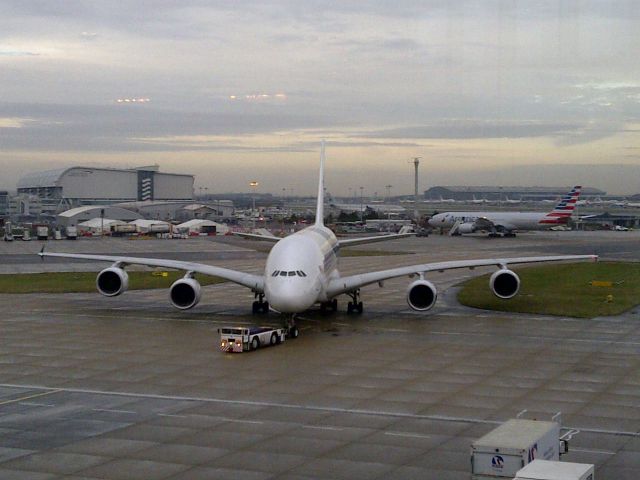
(495, 194)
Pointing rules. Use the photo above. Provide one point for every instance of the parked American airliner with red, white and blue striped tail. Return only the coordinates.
(507, 223)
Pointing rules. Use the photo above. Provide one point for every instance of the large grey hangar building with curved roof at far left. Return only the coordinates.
(65, 188)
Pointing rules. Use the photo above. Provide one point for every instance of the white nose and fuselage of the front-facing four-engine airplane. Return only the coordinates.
(299, 268)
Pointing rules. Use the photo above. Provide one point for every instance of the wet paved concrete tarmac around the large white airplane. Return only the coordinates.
(127, 387)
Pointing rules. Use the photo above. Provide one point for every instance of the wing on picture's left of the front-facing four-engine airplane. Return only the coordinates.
(252, 281)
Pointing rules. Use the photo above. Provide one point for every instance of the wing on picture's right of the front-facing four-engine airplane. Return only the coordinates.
(353, 282)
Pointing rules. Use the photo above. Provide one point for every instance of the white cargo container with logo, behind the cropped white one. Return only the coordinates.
(511, 446)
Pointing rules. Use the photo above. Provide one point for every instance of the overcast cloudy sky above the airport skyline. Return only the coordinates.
(485, 92)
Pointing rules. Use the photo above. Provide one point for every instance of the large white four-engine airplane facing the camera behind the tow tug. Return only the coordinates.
(301, 271)
